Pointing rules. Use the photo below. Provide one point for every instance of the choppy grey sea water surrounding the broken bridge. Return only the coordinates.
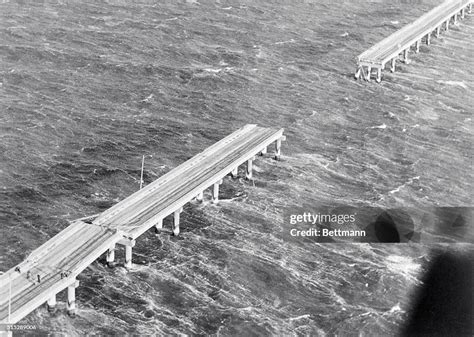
(87, 88)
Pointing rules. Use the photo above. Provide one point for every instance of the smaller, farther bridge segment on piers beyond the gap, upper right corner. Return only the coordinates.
(400, 42)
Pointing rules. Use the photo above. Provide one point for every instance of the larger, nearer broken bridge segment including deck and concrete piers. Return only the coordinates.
(55, 265)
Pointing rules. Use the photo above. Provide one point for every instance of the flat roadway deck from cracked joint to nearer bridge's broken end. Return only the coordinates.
(145, 207)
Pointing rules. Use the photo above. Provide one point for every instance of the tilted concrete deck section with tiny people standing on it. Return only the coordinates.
(57, 263)
